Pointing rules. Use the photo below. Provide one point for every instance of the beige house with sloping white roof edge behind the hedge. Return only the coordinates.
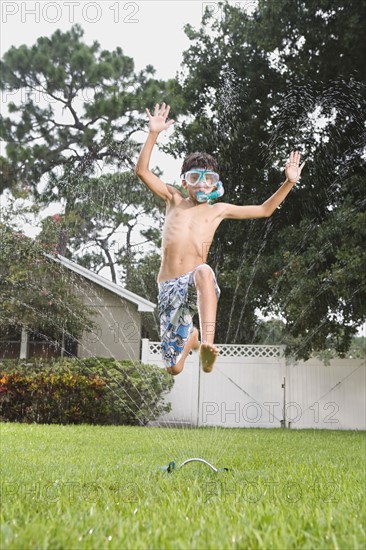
(118, 320)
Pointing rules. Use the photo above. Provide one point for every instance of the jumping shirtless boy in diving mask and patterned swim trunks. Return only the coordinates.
(189, 228)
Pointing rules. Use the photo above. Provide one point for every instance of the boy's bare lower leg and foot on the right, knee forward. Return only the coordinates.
(207, 307)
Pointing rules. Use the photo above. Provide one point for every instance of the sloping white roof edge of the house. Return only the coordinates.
(142, 304)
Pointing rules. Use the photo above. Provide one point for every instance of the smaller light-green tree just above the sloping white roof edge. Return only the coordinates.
(99, 228)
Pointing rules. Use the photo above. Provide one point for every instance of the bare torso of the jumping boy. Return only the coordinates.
(187, 235)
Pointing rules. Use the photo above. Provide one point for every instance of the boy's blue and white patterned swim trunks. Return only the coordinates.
(177, 305)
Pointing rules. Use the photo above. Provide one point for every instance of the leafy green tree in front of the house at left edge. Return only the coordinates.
(37, 292)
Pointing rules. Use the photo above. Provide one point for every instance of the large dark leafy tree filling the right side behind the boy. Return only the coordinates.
(256, 85)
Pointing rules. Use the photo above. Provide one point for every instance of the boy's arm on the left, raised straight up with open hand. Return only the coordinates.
(157, 124)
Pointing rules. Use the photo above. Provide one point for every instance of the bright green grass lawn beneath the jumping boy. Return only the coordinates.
(75, 487)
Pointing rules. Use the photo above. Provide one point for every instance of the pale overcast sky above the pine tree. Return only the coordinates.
(149, 31)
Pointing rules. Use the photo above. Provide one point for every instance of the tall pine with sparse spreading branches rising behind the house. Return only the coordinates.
(70, 137)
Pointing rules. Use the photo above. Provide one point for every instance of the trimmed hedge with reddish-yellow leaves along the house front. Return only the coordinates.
(94, 390)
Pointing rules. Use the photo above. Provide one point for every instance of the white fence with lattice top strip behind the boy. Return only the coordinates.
(254, 386)
